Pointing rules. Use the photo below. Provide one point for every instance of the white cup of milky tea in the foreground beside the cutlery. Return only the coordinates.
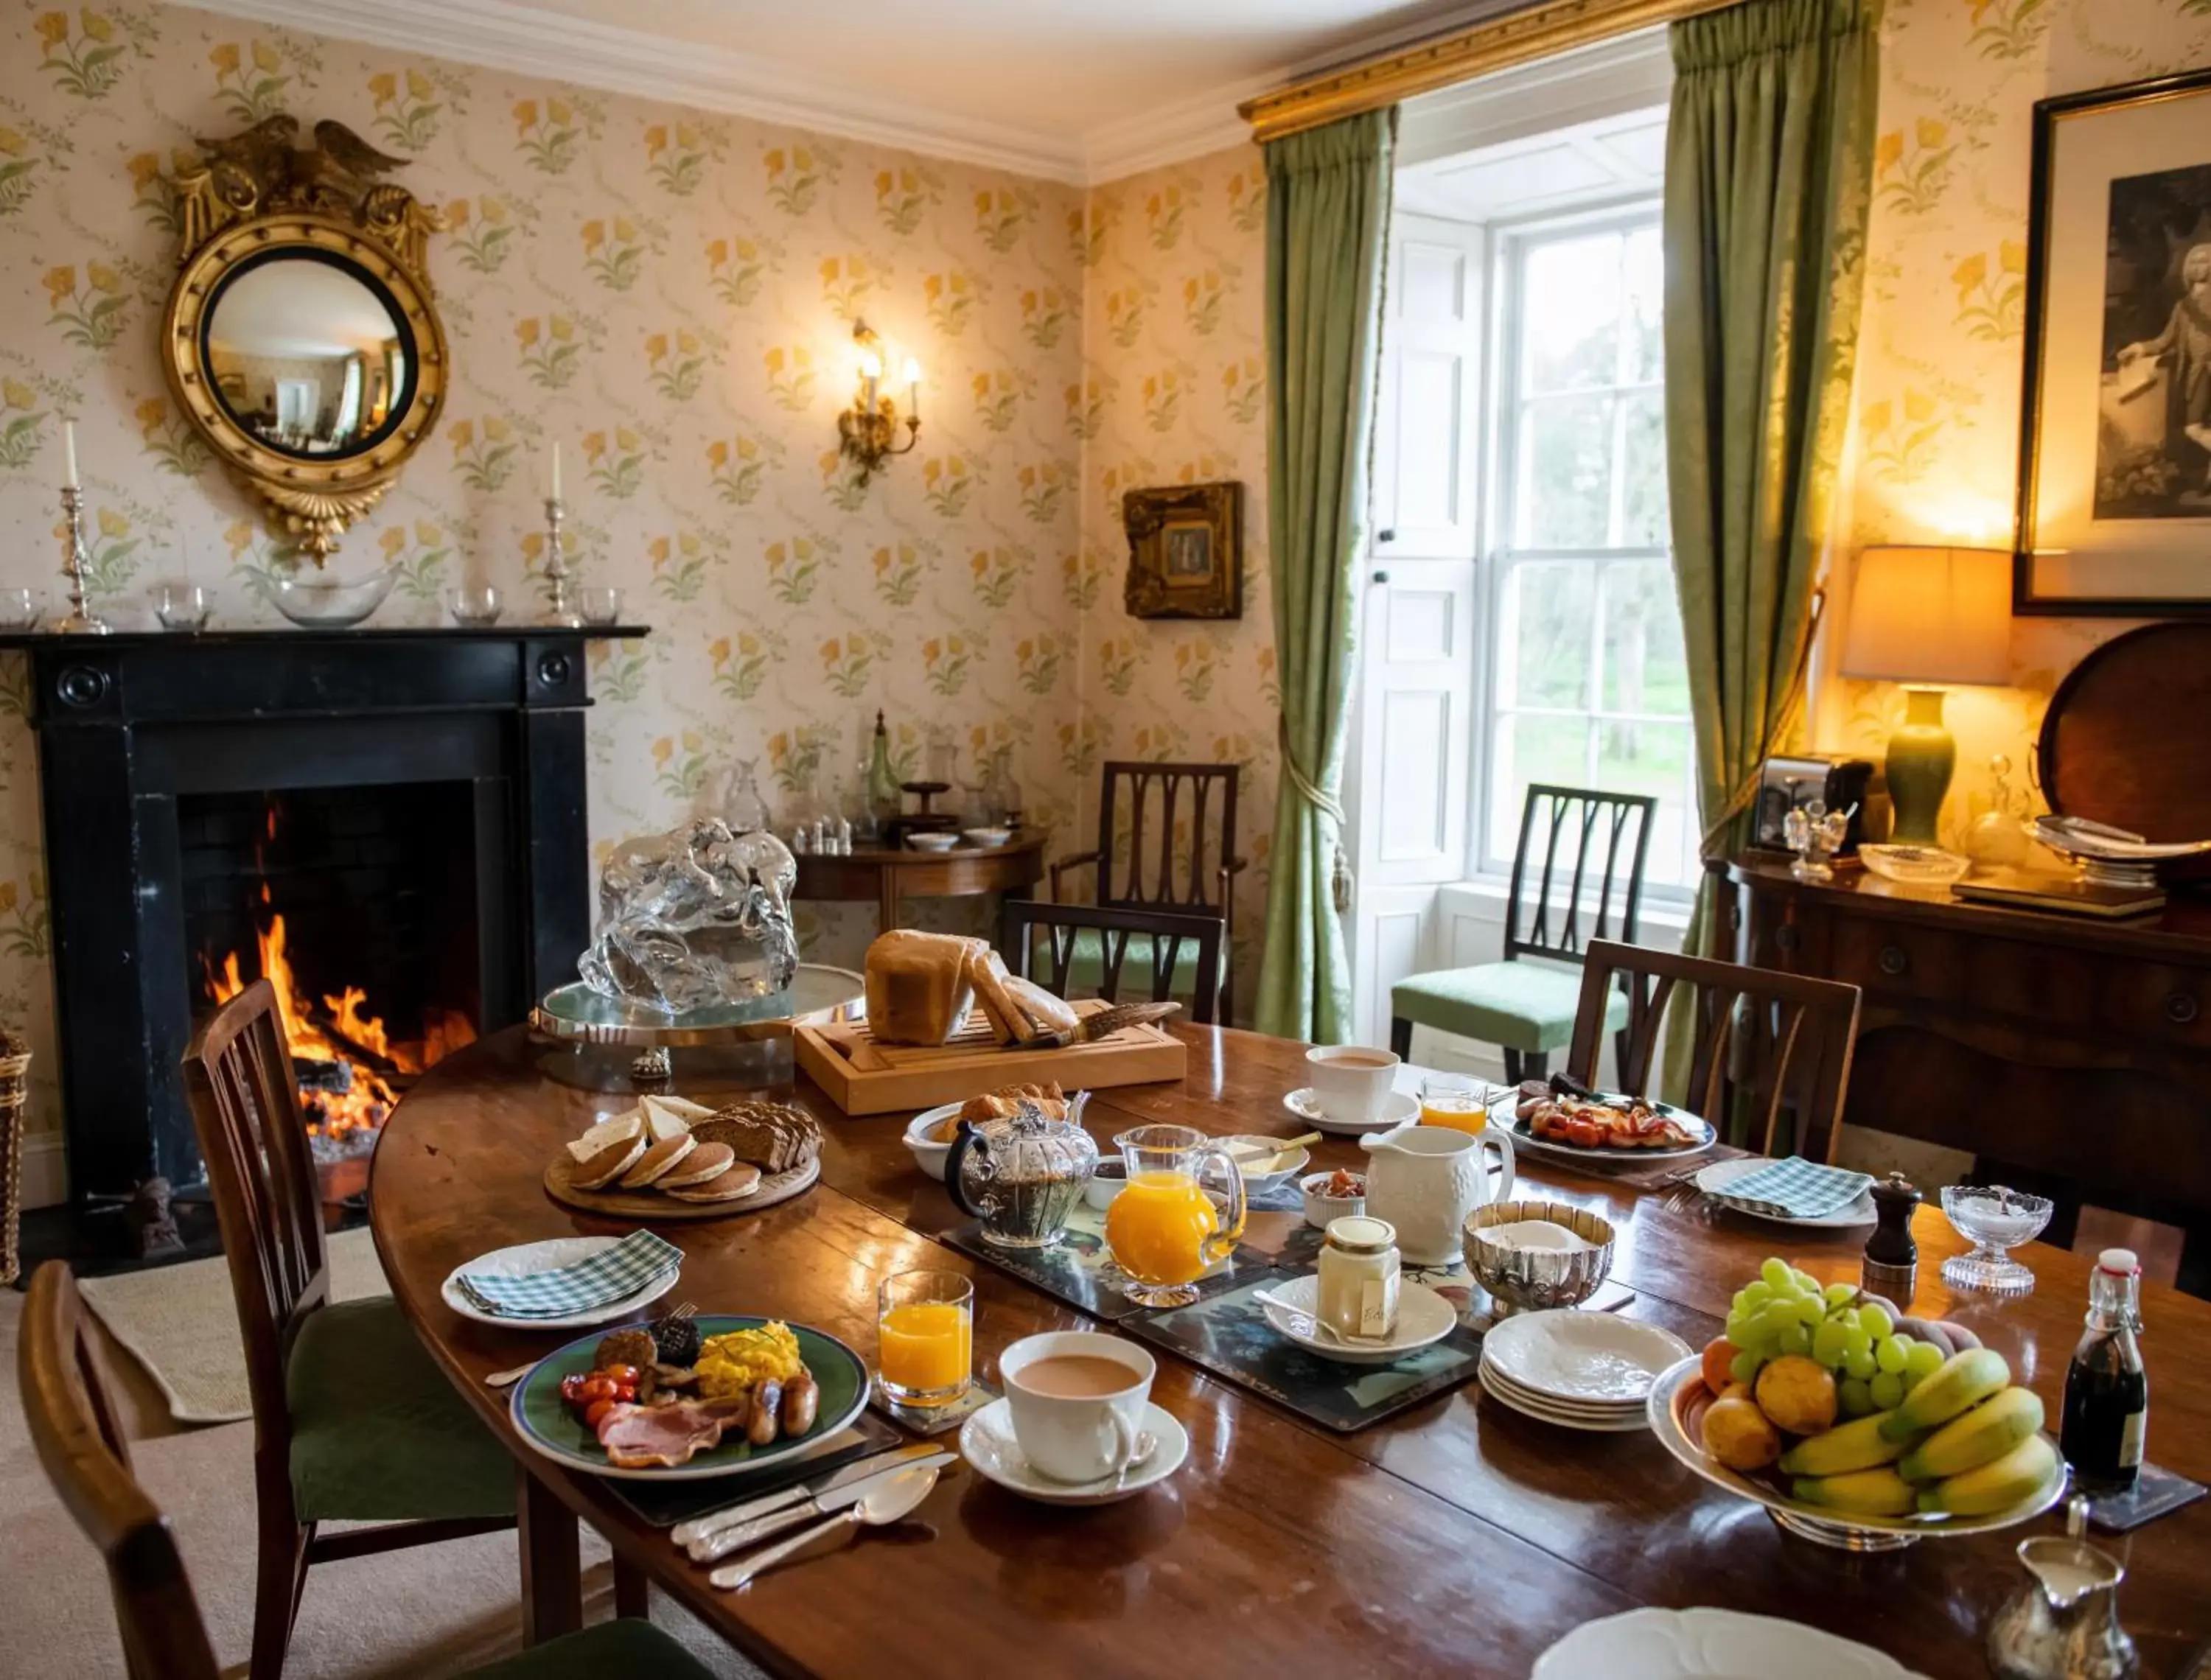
(1078, 1403)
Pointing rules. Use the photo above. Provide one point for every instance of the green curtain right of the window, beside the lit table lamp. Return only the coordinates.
(1770, 158)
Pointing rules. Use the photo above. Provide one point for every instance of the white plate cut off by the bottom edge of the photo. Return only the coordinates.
(1710, 1646)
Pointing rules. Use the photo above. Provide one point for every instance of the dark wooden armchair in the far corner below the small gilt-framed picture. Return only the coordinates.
(1166, 843)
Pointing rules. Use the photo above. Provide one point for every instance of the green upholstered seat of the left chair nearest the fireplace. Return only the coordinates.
(379, 1434)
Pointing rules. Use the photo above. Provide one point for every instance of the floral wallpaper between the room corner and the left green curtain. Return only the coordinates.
(1173, 392)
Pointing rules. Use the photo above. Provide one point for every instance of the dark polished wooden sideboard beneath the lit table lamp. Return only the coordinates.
(2068, 1056)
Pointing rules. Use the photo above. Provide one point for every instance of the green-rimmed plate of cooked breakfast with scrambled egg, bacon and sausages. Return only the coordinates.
(687, 1398)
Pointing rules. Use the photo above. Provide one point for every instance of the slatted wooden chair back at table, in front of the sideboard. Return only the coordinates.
(1765, 1044)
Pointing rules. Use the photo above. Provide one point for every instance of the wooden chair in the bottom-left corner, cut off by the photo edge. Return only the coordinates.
(74, 1427)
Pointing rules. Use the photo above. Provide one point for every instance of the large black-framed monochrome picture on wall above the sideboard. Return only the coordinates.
(2115, 439)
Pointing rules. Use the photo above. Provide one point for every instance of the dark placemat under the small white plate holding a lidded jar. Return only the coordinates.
(1230, 1336)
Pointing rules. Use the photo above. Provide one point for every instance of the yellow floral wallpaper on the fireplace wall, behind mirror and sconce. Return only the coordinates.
(671, 297)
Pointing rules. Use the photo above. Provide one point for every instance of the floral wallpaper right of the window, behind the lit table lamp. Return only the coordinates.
(1945, 319)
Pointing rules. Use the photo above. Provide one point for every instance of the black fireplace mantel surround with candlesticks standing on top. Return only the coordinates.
(129, 724)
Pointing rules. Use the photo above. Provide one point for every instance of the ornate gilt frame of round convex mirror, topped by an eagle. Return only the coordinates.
(260, 200)
